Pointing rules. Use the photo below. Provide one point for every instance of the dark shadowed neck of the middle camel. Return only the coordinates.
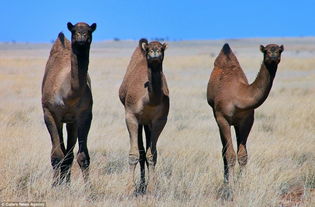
(155, 83)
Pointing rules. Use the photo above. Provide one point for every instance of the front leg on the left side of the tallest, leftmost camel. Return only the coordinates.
(57, 151)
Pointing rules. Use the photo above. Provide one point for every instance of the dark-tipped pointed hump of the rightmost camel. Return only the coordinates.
(226, 58)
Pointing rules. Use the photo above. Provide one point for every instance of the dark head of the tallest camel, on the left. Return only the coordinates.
(81, 34)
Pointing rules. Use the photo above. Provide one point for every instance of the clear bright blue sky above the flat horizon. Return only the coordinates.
(41, 21)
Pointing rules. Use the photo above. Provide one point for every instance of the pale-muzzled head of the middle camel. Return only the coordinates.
(153, 51)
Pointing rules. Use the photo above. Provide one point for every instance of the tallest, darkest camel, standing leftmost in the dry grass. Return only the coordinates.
(67, 98)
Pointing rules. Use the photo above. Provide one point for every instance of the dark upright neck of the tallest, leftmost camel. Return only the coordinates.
(79, 68)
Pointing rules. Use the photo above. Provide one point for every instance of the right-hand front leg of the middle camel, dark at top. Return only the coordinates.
(151, 154)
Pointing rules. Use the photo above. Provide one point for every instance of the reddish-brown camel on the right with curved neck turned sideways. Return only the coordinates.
(233, 100)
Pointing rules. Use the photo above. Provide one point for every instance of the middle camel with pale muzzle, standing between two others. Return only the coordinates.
(144, 94)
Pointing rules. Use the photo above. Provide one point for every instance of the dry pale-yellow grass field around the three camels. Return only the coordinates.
(281, 145)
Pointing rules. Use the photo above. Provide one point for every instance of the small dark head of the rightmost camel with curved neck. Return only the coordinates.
(272, 53)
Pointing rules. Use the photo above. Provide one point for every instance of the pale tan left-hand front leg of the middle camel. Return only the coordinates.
(133, 129)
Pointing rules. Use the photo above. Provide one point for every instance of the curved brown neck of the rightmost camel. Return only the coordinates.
(260, 88)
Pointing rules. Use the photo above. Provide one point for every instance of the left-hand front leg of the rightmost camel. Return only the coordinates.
(228, 152)
